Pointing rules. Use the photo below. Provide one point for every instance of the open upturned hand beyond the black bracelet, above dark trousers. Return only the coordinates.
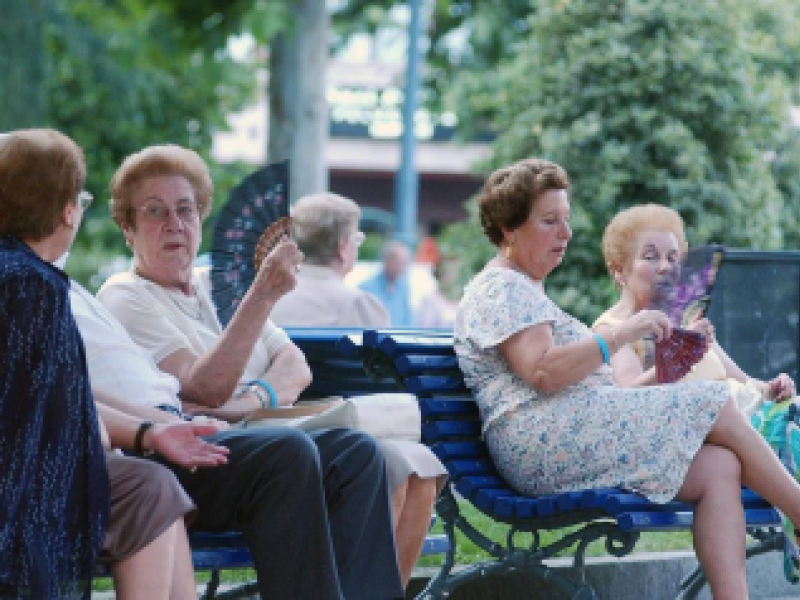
(180, 444)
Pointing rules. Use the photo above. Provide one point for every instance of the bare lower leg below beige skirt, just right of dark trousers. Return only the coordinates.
(413, 523)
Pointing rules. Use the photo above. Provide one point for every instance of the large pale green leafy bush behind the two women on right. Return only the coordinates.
(685, 103)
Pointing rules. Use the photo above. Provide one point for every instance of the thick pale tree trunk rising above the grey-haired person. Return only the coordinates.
(298, 120)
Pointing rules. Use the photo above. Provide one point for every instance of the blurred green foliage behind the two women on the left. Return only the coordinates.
(125, 75)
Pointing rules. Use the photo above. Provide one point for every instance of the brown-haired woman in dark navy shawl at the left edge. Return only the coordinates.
(53, 480)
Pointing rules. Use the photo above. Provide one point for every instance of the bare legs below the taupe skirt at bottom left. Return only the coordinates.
(150, 574)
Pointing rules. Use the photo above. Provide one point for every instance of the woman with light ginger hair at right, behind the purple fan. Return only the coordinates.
(643, 246)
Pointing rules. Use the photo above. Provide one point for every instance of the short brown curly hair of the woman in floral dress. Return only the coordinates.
(509, 194)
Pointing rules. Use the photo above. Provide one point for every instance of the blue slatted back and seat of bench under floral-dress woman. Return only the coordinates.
(424, 363)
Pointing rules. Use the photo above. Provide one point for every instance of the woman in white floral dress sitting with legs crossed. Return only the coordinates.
(553, 418)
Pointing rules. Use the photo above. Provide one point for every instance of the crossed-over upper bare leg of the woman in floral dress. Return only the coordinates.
(761, 469)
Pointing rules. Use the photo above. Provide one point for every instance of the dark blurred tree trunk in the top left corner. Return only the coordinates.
(22, 64)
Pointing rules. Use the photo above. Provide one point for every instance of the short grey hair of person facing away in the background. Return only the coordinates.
(320, 222)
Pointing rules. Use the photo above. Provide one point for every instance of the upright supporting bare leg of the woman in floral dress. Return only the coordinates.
(713, 482)
